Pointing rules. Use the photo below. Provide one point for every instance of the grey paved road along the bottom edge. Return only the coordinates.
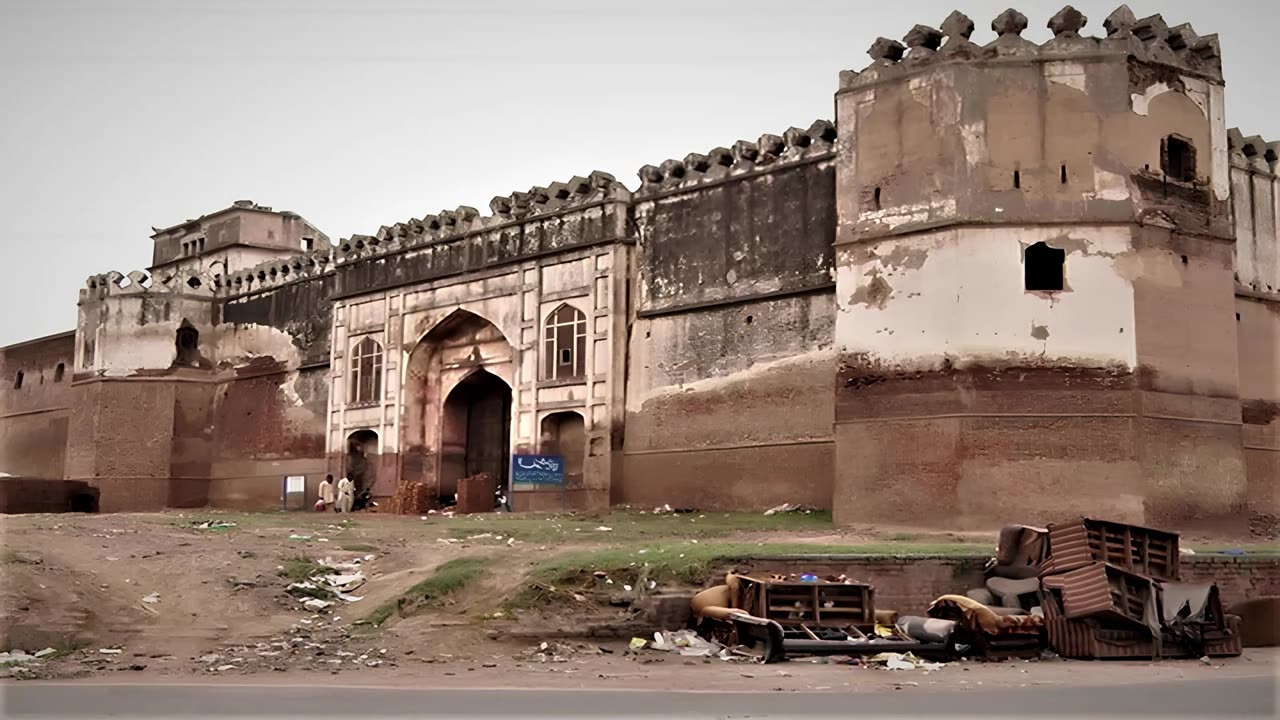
(1236, 698)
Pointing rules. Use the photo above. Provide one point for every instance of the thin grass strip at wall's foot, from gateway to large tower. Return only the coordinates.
(628, 526)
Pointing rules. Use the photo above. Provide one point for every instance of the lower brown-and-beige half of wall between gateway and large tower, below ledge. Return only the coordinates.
(732, 407)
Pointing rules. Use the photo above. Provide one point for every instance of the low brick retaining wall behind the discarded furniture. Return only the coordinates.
(909, 585)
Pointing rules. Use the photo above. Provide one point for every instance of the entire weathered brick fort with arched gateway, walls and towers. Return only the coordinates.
(1009, 282)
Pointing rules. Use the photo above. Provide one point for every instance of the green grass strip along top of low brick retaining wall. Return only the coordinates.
(683, 563)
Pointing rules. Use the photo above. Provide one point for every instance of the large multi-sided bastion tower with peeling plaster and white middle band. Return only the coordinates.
(1035, 279)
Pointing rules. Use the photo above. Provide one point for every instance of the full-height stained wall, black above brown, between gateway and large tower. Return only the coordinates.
(729, 390)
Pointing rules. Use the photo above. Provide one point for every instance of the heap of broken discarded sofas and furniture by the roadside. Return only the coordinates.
(1085, 589)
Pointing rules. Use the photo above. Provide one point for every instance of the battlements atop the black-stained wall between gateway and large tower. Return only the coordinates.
(697, 168)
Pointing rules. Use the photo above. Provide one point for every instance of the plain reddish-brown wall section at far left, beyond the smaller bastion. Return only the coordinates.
(34, 417)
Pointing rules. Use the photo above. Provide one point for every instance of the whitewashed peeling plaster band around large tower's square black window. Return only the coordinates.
(958, 295)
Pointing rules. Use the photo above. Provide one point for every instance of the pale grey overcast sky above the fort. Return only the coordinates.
(120, 116)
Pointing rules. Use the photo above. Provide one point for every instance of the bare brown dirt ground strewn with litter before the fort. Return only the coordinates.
(217, 607)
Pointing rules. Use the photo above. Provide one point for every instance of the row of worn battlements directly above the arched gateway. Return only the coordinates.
(537, 204)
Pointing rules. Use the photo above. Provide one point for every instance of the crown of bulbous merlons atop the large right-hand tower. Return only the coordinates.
(1149, 40)
